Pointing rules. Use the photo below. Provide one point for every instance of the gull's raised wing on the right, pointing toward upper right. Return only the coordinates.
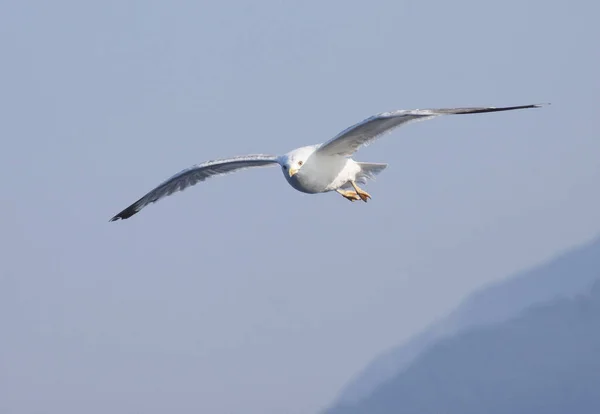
(363, 133)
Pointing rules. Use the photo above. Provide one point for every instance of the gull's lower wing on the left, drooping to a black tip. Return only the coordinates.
(194, 175)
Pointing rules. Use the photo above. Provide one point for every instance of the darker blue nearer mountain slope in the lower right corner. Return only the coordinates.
(547, 360)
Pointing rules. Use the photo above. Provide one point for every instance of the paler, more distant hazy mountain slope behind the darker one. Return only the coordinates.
(565, 276)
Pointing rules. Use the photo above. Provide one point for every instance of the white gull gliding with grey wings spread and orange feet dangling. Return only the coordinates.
(313, 169)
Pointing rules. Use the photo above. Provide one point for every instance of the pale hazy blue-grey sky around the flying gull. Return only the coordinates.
(242, 294)
